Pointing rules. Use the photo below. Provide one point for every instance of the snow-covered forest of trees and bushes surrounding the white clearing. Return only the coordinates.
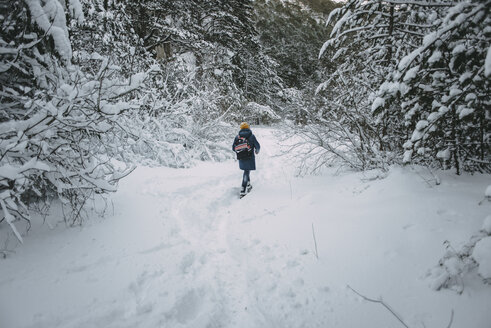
(366, 83)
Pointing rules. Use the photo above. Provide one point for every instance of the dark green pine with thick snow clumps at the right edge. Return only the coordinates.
(444, 88)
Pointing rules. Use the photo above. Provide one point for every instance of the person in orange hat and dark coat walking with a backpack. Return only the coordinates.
(246, 146)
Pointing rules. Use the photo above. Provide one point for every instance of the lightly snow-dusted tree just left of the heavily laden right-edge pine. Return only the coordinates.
(367, 41)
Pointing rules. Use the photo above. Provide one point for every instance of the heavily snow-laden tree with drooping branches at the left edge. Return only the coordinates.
(58, 123)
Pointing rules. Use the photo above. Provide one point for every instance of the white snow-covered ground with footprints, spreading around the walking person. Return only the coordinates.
(177, 248)
